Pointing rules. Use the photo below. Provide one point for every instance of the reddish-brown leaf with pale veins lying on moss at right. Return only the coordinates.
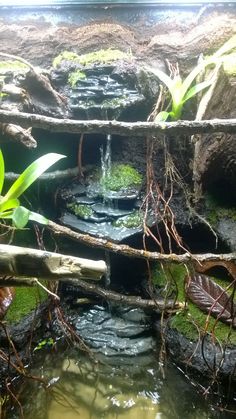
(211, 298)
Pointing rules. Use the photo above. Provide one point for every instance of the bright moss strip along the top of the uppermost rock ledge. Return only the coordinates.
(103, 56)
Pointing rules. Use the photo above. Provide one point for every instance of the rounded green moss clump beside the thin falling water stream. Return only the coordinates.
(122, 176)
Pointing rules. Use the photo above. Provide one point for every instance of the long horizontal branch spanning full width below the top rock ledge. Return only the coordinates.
(132, 129)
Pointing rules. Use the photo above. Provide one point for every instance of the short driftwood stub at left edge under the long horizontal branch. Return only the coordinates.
(17, 134)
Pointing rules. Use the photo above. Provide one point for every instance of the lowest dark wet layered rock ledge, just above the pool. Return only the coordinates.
(118, 332)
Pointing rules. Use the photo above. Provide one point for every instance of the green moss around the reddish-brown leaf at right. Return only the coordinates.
(190, 321)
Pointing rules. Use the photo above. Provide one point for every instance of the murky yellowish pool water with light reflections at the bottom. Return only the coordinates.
(82, 388)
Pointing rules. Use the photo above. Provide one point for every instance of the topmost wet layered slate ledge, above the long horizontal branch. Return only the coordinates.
(101, 91)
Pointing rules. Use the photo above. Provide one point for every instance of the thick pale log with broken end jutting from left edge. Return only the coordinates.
(21, 261)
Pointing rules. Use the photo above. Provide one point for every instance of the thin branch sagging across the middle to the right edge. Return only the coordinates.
(196, 259)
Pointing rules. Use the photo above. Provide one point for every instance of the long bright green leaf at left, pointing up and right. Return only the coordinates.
(33, 171)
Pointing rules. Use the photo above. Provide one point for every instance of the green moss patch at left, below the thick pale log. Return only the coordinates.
(26, 300)
